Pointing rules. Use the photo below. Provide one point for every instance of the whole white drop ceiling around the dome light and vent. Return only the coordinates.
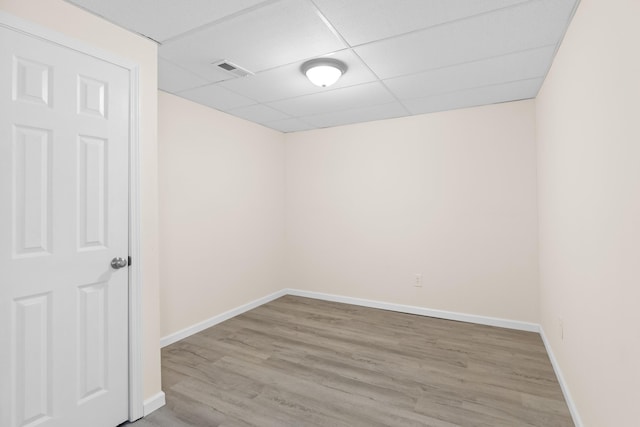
(404, 57)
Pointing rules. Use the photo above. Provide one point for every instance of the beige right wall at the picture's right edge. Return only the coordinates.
(589, 167)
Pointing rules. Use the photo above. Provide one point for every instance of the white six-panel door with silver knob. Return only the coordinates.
(64, 141)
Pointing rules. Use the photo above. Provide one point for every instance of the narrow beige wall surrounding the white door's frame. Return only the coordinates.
(71, 21)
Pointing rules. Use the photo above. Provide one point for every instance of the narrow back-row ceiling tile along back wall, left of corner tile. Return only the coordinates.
(364, 114)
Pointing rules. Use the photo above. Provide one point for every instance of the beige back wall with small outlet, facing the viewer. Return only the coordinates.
(450, 195)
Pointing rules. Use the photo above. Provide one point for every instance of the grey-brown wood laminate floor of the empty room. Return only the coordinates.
(304, 362)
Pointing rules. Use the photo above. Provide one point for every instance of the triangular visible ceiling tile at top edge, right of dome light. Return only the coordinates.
(362, 21)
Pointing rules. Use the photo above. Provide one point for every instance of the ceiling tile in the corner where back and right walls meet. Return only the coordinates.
(473, 97)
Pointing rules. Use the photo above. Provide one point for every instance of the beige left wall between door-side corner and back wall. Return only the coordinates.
(221, 210)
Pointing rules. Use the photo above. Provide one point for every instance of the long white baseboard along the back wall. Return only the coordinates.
(441, 314)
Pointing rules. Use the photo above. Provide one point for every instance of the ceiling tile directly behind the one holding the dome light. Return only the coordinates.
(335, 100)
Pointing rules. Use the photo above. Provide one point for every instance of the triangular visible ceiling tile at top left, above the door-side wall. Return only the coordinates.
(163, 19)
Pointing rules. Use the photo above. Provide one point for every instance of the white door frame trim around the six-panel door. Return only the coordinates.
(11, 22)
